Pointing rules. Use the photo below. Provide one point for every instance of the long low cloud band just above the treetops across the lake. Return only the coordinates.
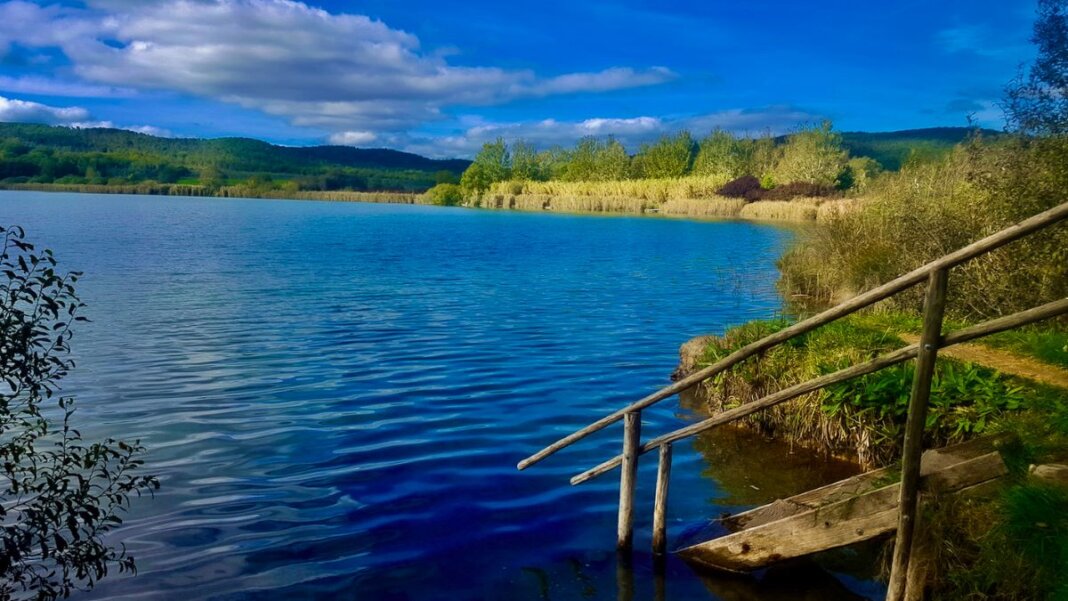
(631, 132)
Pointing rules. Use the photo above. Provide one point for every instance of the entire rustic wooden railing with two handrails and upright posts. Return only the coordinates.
(925, 352)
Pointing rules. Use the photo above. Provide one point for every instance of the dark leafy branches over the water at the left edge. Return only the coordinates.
(59, 495)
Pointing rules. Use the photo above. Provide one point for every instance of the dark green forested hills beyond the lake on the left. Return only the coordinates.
(46, 154)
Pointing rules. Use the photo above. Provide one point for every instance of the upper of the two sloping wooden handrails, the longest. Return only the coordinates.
(981, 247)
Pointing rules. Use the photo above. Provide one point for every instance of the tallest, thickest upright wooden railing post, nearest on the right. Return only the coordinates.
(930, 341)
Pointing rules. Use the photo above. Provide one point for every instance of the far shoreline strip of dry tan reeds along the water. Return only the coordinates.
(799, 211)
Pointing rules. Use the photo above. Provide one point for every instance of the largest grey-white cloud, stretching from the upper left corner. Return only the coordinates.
(342, 72)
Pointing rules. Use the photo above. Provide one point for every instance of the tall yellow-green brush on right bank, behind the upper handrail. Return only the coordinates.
(928, 211)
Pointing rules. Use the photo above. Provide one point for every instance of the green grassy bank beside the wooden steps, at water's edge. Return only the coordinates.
(863, 420)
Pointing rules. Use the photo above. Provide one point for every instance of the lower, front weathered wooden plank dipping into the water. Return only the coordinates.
(844, 523)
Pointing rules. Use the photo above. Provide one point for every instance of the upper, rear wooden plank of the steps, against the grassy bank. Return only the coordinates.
(934, 461)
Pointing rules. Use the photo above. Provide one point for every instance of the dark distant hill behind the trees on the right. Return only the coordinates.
(893, 149)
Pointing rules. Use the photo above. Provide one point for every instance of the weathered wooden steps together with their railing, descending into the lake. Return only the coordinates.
(856, 510)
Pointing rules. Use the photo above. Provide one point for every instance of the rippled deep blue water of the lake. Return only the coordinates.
(336, 396)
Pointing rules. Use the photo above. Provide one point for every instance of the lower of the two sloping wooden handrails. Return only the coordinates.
(993, 327)
